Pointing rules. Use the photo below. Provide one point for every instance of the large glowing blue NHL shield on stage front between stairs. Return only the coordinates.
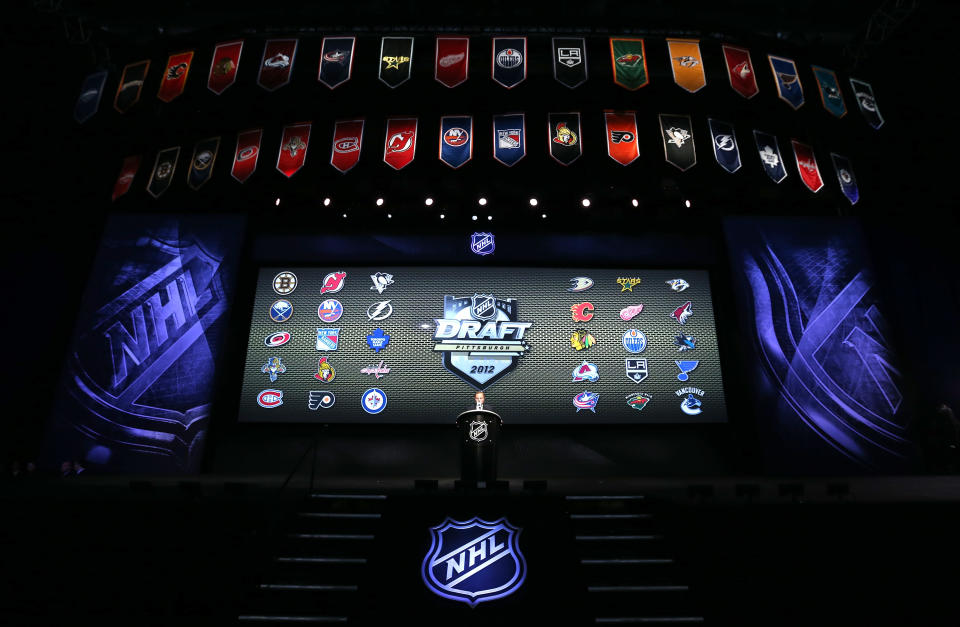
(474, 561)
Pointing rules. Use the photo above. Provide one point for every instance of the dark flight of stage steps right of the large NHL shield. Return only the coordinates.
(627, 564)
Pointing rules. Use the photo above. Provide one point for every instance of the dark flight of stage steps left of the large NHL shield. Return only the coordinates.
(320, 562)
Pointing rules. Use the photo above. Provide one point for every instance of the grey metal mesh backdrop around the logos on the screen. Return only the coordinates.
(538, 391)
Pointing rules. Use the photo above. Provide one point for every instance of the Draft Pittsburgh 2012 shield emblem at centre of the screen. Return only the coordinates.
(480, 338)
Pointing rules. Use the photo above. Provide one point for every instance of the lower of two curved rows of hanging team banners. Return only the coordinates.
(456, 140)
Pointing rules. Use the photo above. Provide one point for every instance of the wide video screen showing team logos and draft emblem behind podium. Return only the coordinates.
(545, 345)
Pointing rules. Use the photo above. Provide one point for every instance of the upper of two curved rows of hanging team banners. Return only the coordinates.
(509, 63)
